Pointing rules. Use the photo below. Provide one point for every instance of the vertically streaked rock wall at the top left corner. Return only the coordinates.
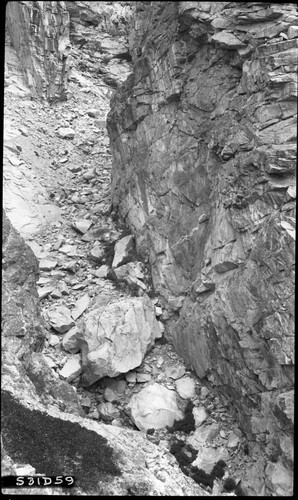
(39, 31)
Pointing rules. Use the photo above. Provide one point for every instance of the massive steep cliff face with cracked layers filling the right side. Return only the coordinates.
(203, 139)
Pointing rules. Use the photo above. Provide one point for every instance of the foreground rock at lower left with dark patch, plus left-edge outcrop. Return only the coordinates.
(53, 433)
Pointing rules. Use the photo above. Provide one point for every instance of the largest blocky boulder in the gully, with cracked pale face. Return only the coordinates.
(115, 337)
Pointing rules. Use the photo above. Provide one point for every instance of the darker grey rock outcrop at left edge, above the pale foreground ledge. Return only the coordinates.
(22, 323)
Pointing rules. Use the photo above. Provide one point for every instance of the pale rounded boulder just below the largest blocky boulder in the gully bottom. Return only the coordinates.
(154, 407)
